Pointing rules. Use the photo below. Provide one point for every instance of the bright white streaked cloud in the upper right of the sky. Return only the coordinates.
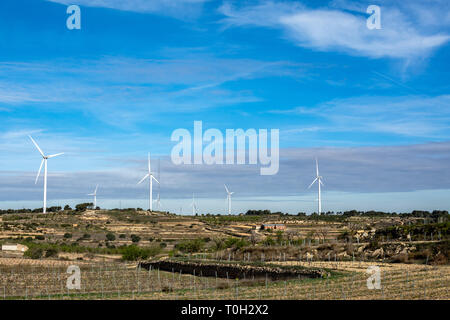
(332, 29)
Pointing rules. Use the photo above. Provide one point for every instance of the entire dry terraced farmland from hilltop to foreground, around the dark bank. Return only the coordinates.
(98, 241)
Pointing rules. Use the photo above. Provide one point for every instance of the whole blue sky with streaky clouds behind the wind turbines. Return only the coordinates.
(373, 105)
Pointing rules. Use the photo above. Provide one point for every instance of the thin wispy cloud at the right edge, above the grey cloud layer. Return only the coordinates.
(413, 116)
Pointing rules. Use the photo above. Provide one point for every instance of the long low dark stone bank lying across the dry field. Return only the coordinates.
(232, 271)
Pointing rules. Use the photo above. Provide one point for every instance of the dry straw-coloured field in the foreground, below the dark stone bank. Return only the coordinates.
(125, 281)
